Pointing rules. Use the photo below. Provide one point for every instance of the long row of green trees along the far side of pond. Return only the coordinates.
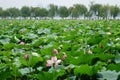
(95, 11)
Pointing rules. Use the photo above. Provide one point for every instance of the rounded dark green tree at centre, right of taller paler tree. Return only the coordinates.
(63, 12)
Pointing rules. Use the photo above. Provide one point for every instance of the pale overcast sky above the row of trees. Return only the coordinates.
(44, 3)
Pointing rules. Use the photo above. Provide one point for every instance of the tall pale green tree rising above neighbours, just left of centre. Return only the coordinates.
(52, 10)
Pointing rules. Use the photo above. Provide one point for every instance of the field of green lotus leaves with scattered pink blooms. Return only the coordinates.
(59, 50)
